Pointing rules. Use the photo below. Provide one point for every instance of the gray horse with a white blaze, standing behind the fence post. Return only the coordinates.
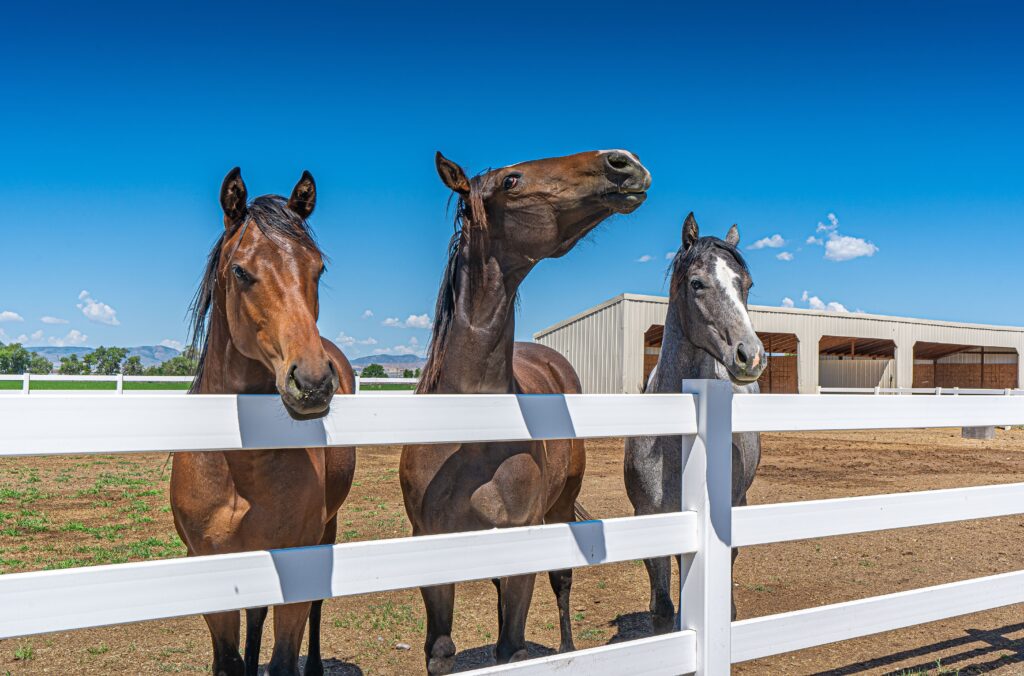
(708, 334)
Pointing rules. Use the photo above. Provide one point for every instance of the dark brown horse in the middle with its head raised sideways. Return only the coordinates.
(510, 220)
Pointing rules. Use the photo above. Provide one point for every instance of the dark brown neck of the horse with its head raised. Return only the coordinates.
(477, 358)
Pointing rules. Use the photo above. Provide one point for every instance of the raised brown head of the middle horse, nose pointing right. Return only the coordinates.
(541, 209)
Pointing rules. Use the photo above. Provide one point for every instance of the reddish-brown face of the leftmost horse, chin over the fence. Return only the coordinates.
(271, 289)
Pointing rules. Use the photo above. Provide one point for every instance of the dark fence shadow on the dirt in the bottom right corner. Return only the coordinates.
(1011, 652)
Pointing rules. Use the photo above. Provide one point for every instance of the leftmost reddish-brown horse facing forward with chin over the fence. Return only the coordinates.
(255, 329)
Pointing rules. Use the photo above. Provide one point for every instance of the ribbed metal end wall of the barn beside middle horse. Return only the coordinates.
(593, 345)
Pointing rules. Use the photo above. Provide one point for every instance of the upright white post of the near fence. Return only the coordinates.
(706, 587)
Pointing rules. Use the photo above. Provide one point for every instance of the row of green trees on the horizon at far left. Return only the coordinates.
(102, 362)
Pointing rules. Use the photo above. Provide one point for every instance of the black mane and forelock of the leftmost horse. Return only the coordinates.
(279, 224)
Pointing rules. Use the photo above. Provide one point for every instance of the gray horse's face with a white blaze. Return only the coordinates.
(710, 287)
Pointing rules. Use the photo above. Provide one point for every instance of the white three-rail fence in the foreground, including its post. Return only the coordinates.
(703, 533)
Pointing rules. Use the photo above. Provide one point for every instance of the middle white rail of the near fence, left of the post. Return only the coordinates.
(76, 599)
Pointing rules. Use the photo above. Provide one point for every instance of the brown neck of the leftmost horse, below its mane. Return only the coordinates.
(227, 371)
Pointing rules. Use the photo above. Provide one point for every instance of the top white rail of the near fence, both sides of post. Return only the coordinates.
(48, 425)
